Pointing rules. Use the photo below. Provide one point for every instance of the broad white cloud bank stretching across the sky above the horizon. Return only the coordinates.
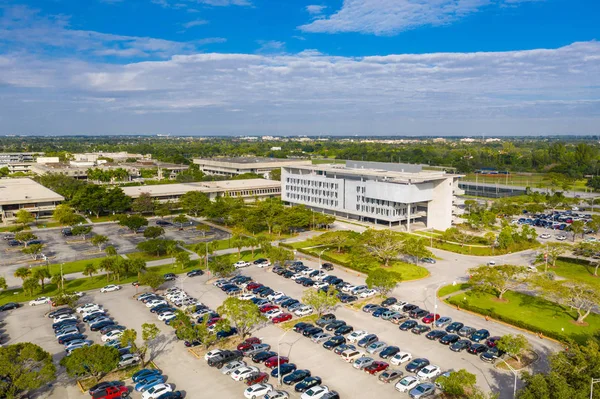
(544, 91)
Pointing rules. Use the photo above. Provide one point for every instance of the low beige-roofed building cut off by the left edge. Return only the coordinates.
(17, 194)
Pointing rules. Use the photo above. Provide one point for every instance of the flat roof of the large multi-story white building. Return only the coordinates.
(387, 175)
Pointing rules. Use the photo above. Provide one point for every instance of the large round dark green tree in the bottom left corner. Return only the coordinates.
(24, 367)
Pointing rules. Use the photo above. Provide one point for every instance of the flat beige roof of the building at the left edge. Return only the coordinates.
(24, 191)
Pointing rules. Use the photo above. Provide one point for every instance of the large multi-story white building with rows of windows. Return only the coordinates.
(380, 193)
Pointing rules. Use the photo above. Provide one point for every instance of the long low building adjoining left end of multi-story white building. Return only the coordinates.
(249, 189)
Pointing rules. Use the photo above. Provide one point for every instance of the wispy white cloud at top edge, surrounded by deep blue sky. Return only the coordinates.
(388, 17)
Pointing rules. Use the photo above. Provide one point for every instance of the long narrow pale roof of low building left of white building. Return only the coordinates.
(205, 187)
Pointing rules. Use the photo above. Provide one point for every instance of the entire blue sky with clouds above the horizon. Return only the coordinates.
(300, 67)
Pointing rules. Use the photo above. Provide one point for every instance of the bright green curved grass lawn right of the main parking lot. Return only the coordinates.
(534, 313)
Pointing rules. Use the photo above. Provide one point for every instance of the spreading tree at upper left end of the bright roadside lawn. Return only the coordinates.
(500, 278)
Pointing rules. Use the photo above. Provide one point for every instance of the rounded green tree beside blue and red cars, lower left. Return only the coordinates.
(94, 360)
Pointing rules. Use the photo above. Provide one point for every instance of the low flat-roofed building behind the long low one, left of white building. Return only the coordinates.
(239, 165)
